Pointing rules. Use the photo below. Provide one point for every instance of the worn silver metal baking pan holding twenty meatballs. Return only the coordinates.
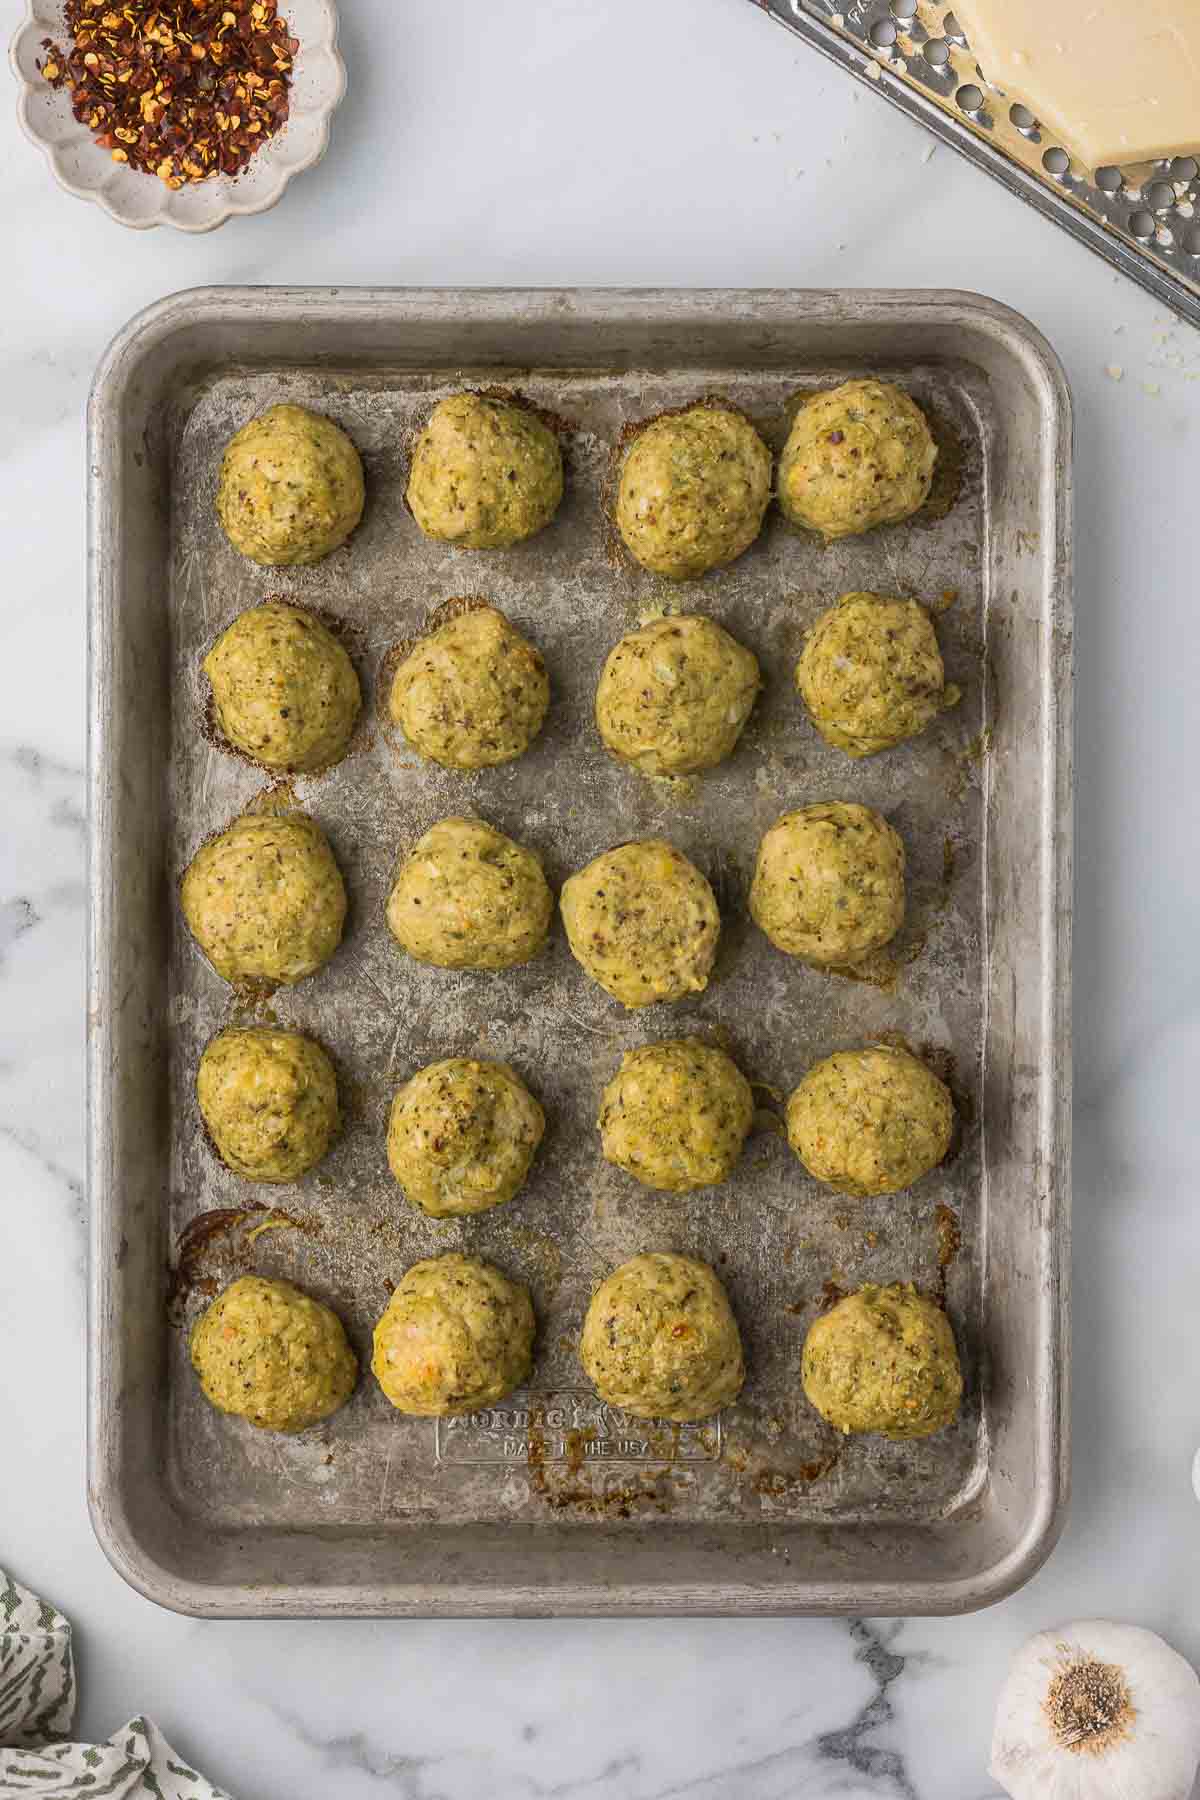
(551, 1504)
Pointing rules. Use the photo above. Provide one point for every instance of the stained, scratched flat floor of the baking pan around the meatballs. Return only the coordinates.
(782, 1243)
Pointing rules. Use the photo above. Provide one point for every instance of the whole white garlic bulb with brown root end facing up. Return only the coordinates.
(1098, 1713)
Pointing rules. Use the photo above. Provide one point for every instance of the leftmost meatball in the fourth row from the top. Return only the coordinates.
(269, 1099)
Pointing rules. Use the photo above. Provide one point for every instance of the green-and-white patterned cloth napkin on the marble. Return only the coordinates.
(39, 1711)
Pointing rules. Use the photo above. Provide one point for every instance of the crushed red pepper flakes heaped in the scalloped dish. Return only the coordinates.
(179, 89)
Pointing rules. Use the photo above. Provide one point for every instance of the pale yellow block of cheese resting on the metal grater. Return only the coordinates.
(1113, 84)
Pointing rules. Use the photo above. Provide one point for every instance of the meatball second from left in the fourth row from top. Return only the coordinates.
(461, 1137)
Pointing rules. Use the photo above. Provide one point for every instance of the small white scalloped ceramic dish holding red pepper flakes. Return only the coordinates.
(143, 201)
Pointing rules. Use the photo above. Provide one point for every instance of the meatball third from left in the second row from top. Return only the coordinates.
(676, 696)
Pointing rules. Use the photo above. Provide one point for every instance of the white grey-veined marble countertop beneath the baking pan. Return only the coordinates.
(618, 141)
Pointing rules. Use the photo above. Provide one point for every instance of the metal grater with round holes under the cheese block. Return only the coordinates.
(1145, 219)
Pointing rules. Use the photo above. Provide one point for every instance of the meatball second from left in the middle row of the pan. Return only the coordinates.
(469, 897)
